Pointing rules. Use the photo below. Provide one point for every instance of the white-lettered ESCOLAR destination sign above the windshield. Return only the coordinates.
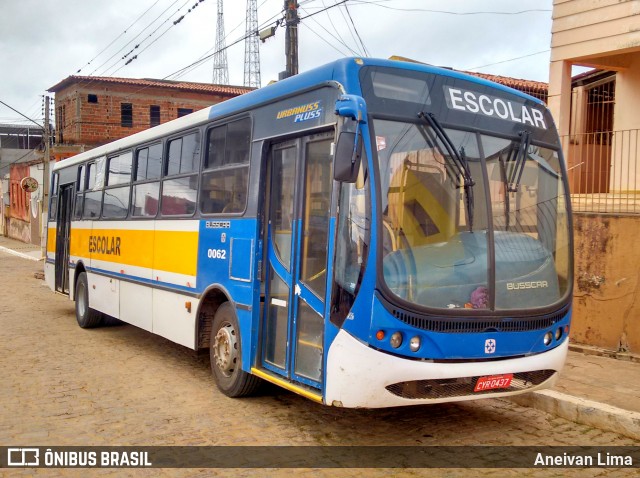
(495, 107)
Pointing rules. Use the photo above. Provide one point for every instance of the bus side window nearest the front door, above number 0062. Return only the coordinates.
(226, 170)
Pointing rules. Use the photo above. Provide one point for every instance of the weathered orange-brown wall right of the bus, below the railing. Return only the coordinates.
(606, 309)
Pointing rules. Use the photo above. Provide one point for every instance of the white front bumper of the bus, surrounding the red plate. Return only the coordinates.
(360, 376)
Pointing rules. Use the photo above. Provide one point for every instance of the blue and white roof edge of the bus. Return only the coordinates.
(343, 71)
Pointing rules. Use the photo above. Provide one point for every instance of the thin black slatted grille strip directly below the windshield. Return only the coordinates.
(461, 326)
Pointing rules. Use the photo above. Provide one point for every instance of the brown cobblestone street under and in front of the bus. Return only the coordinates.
(62, 385)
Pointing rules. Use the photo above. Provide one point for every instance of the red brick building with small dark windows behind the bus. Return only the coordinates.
(91, 111)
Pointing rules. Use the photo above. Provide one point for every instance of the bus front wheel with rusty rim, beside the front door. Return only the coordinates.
(226, 355)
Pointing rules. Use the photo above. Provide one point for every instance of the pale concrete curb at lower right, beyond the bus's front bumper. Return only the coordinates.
(583, 411)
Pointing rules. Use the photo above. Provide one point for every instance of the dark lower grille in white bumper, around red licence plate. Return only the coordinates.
(462, 387)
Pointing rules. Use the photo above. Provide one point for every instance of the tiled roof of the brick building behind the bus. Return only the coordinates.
(223, 90)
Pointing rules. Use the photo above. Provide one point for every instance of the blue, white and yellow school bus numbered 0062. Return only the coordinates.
(370, 233)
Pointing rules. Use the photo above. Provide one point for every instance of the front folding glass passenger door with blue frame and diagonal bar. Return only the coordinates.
(297, 233)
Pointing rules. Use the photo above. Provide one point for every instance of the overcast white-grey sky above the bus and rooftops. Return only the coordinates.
(43, 42)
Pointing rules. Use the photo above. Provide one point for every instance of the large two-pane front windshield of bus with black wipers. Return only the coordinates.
(489, 234)
